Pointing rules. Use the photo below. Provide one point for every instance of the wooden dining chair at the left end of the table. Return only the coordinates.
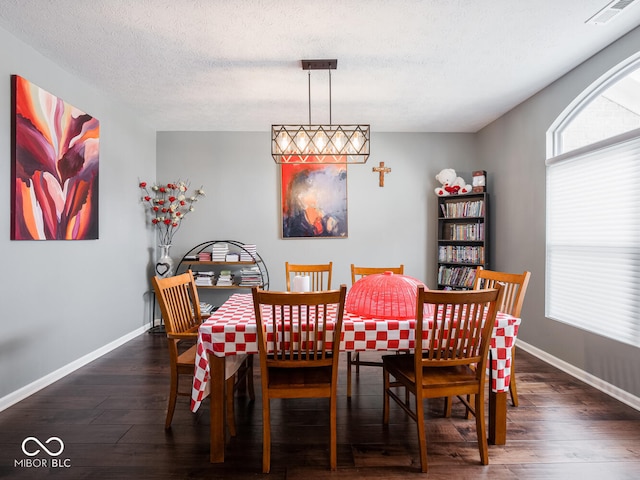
(180, 307)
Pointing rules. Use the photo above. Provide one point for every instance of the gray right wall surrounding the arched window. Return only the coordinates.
(513, 150)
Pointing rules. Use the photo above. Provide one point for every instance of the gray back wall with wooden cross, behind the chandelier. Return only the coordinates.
(388, 225)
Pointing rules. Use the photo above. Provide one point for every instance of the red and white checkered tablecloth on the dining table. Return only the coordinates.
(231, 330)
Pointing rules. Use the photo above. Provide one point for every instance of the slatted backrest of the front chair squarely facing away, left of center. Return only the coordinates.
(304, 328)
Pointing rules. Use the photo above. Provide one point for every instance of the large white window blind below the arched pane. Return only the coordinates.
(593, 240)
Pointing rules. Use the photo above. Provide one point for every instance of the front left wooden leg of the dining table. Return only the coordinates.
(217, 407)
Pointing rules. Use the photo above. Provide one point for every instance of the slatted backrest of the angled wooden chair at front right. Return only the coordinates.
(460, 332)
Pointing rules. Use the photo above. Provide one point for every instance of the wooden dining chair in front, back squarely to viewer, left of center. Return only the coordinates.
(306, 367)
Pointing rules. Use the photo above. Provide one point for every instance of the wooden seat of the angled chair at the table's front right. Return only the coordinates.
(436, 378)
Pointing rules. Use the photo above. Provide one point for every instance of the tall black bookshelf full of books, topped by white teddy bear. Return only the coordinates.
(463, 239)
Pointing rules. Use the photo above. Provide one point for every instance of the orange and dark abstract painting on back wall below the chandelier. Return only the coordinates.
(314, 200)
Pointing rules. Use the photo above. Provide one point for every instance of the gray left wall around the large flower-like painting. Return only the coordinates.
(62, 300)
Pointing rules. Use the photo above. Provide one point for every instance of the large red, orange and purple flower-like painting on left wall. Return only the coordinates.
(55, 156)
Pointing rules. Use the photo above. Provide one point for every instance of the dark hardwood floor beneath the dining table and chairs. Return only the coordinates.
(110, 416)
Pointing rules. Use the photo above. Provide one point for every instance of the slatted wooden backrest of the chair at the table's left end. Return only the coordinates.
(179, 303)
